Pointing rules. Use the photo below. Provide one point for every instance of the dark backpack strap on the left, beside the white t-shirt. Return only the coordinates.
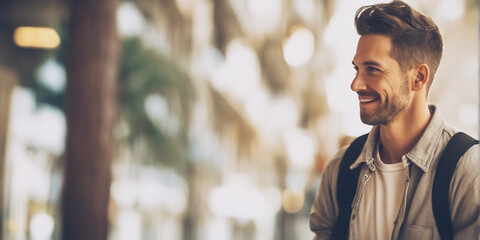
(347, 187)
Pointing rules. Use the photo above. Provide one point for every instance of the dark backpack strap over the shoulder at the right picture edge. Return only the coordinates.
(455, 148)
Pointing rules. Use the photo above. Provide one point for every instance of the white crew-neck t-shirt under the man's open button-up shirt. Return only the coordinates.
(381, 200)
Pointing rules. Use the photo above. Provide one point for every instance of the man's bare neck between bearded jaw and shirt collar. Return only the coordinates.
(400, 135)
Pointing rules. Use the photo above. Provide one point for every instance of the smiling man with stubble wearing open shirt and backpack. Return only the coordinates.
(413, 176)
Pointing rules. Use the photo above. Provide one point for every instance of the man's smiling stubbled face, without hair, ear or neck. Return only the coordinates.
(382, 88)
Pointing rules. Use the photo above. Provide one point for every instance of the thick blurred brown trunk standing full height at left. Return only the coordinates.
(91, 109)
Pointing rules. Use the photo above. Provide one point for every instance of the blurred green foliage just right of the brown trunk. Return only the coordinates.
(142, 73)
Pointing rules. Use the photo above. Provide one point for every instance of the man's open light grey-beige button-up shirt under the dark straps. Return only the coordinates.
(415, 218)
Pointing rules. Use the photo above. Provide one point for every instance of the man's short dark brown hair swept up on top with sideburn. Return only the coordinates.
(415, 37)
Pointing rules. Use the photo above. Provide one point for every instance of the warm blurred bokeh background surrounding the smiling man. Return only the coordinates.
(188, 119)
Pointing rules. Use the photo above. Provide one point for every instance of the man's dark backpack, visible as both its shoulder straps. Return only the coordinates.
(348, 179)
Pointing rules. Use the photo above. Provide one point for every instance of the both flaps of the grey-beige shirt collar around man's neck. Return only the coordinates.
(421, 154)
